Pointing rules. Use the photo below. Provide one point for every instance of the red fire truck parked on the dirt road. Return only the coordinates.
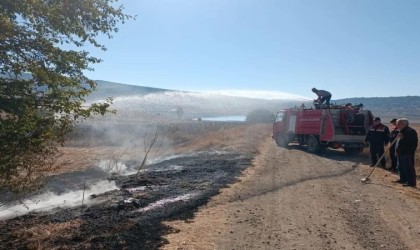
(340, 126)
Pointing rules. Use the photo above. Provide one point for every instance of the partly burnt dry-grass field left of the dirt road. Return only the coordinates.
(188, 167)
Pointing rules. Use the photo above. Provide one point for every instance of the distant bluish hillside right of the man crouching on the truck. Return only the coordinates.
(389, 107)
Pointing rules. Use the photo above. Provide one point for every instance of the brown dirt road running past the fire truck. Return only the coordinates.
(290, 199)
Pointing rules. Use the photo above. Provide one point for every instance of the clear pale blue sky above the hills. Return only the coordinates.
(353, 48)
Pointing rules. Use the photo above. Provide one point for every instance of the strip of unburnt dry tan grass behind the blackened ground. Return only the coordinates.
(178, 138)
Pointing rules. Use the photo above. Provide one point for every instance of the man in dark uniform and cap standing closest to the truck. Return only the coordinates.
(378, 137)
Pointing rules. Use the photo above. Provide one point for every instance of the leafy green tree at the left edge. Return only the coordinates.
(42, 81)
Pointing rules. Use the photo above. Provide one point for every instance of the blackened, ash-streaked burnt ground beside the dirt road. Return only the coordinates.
(131, 216)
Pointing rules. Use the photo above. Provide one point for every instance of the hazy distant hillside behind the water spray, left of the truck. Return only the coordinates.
(134, 102)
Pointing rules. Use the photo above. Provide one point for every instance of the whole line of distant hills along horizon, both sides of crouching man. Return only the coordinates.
(132, 99)
